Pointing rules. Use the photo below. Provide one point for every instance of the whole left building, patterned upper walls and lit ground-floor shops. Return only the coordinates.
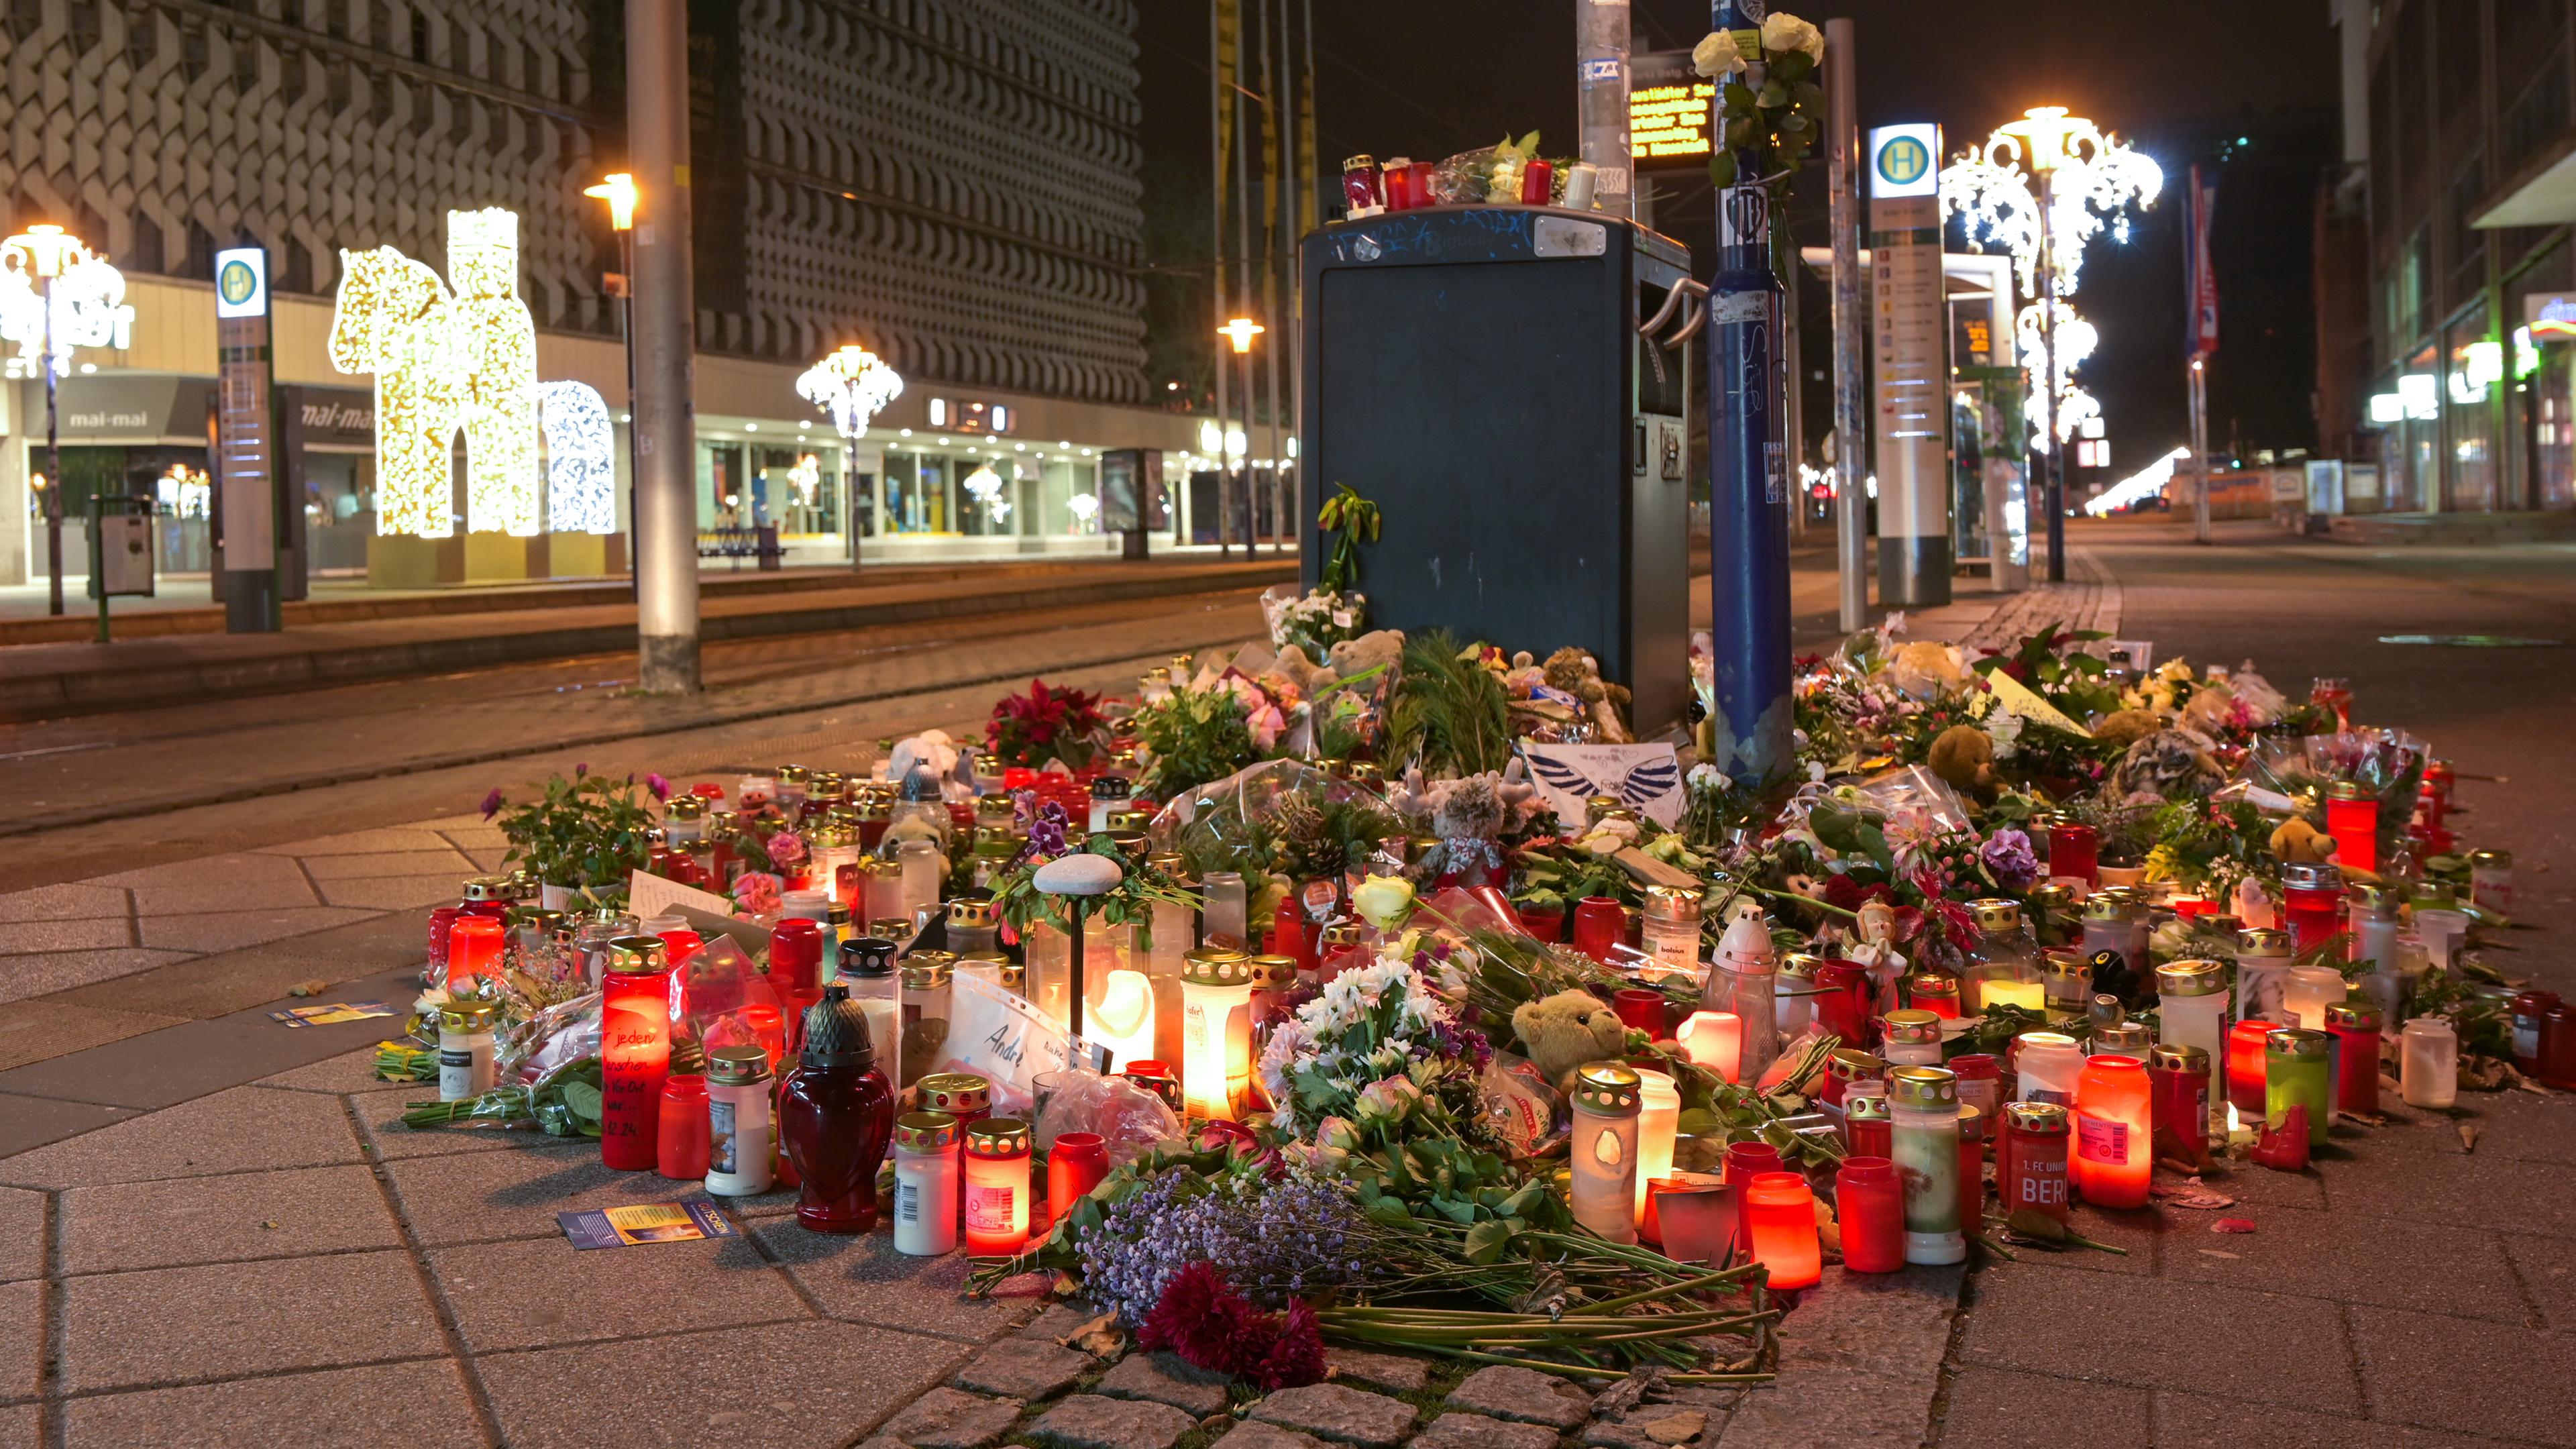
(952, 184)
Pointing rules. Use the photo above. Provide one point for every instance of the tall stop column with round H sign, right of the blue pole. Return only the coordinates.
(1910, 365)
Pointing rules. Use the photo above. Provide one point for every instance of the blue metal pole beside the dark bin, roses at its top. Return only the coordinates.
(1748, 478)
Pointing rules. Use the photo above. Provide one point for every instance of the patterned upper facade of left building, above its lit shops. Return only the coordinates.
(957, 184)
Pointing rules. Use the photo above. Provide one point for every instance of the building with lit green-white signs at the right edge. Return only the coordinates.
(2446, 259)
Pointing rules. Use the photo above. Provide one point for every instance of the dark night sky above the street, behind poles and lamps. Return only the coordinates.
(2186, 81)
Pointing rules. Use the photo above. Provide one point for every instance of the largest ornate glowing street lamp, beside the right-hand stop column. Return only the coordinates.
(2044, 190)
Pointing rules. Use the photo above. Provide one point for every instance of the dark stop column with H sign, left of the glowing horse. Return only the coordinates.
(246, 445)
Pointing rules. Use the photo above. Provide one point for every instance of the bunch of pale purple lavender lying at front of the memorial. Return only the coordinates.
(1274, 1239)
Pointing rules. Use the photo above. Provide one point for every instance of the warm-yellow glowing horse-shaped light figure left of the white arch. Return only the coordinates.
(447, 362)
